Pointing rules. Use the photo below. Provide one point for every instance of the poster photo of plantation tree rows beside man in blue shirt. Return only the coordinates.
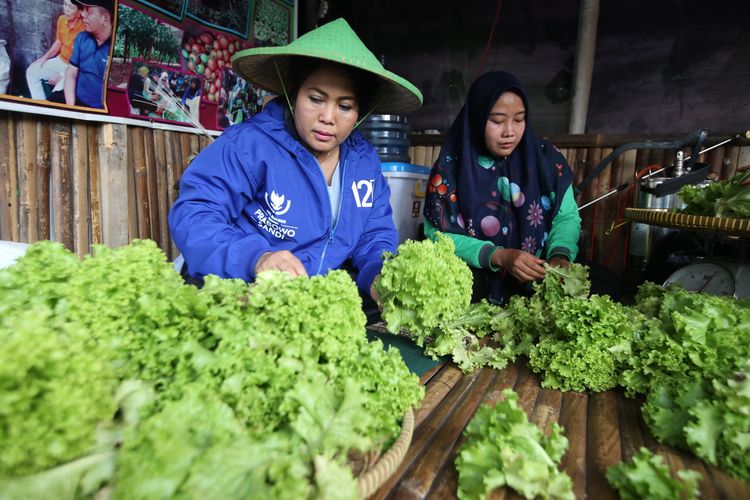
(142, 37)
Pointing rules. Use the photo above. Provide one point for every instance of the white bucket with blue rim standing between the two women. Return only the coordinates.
(408, 185)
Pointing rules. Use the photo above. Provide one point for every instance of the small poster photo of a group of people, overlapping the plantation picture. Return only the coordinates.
(158, 92)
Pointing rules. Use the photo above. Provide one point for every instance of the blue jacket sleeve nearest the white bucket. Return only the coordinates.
(379, 235)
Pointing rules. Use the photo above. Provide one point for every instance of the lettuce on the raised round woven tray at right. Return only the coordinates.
(727, 198)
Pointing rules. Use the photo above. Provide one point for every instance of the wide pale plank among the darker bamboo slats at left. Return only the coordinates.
(113, 168)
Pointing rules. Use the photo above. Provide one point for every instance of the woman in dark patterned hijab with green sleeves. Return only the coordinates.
(501, 193)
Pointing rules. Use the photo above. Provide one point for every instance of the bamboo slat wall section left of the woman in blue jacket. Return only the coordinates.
(83, 183)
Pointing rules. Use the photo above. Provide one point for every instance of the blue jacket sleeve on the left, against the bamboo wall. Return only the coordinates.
(213, 191)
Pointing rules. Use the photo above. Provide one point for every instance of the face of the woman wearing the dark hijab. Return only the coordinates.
(505, 124)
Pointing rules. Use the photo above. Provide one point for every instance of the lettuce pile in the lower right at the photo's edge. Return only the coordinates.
(691, 365)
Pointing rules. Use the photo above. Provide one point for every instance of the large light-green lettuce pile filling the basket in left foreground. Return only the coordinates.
(152, 388)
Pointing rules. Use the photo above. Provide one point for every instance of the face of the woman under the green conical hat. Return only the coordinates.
(326, 109)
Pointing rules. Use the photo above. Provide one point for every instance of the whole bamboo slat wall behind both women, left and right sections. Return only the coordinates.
(84, 183)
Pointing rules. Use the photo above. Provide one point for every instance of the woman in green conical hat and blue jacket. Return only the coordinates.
(296, 188)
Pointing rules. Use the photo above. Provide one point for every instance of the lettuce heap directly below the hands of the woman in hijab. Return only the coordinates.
(577, 342)
